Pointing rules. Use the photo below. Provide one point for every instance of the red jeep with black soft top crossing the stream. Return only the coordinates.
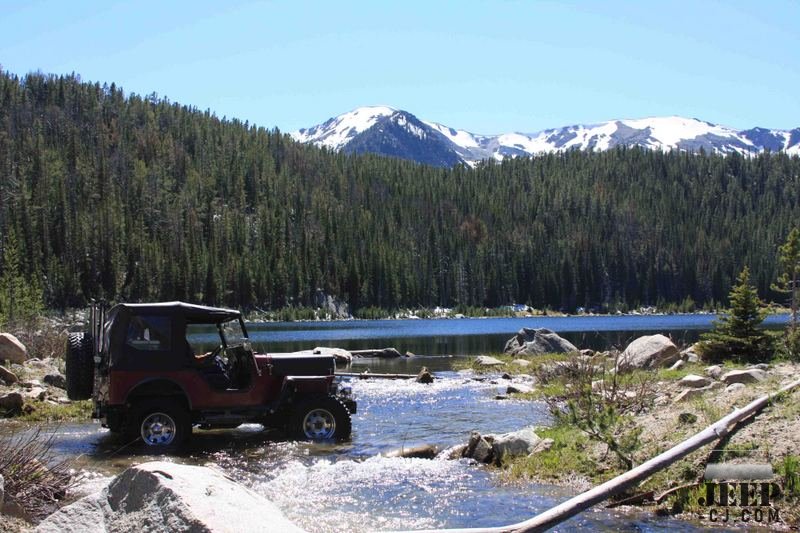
(147, 379)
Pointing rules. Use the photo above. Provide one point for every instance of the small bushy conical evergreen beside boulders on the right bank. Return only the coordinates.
(737, 335)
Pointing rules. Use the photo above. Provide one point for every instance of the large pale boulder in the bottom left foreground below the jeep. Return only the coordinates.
(161, 496)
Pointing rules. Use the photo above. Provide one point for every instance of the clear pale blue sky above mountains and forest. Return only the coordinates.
(488, 67)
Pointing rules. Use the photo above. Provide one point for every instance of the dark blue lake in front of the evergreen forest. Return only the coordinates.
(477, 336)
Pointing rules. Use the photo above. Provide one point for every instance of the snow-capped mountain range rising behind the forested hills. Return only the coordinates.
(388, 131)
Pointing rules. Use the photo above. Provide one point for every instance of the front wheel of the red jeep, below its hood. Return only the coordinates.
(322, 419)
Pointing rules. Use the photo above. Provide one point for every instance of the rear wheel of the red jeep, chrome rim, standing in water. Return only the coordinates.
(163, 424)
